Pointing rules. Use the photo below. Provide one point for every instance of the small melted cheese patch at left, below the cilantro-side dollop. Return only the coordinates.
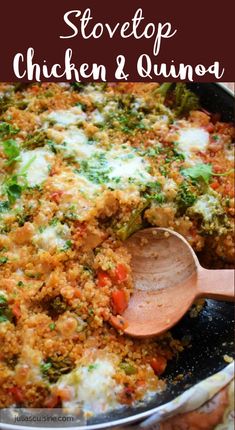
(54, 236)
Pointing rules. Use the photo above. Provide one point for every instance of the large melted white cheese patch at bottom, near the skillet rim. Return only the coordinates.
(93, 387)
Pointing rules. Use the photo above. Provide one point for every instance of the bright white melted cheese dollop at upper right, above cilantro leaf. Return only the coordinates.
(192, 140)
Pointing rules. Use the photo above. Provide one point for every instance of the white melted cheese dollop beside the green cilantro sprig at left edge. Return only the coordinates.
(36, 165)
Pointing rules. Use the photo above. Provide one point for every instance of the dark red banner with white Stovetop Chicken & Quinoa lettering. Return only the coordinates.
(79, 40)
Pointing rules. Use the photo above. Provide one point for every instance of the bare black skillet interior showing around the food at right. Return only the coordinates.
(211, 333)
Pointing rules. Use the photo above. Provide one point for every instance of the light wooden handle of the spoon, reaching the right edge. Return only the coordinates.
(216, 284)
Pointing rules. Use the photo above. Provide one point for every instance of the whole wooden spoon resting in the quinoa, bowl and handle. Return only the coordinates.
(167, 280)
